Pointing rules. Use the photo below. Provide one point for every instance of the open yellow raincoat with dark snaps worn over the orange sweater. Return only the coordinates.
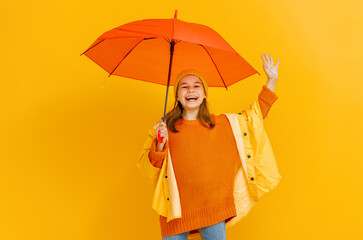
(255, 175)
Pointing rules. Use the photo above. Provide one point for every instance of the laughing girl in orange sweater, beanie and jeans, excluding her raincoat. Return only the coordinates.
(204, 155)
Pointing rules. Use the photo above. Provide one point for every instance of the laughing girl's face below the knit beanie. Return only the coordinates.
(191, 86)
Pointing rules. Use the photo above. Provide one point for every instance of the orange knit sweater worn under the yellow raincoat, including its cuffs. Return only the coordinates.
(204, 163)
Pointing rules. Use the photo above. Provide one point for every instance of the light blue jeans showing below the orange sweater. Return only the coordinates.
(213, 232)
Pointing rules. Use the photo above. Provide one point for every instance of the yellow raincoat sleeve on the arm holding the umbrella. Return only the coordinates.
(149, 172)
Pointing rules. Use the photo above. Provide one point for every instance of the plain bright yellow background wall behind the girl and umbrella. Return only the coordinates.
(69, 147)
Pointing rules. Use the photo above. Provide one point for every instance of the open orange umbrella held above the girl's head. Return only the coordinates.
(155, 50)
